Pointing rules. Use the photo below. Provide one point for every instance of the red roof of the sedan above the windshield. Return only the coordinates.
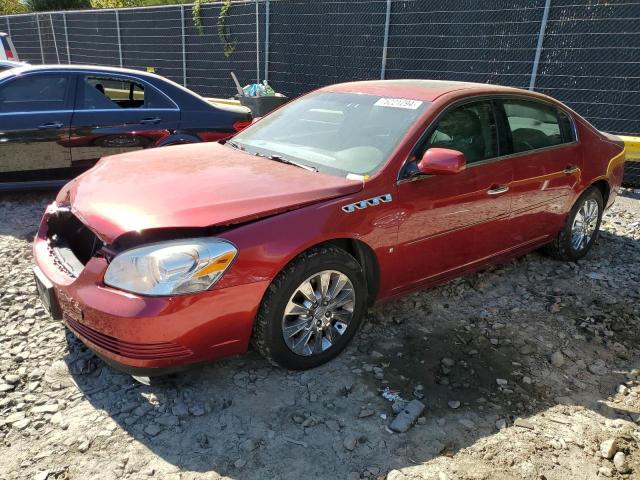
(416, 89)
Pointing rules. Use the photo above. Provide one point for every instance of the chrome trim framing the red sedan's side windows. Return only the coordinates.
(502, 96)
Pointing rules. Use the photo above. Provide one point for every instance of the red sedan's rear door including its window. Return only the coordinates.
(541, 141)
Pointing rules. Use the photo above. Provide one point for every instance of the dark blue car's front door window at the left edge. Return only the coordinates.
(34, 93)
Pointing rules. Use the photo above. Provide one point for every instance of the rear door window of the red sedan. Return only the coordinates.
(535, 125)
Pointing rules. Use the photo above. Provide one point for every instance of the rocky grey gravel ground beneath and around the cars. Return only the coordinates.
(528, 370)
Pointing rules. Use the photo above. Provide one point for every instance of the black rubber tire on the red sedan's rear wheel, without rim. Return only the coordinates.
(561, 248)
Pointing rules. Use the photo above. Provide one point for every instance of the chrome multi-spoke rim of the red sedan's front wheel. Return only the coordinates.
(318, 312)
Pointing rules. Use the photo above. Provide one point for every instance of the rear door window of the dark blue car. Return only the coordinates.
(114, 93)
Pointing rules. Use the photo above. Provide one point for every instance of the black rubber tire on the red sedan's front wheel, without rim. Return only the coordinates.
(268, 336)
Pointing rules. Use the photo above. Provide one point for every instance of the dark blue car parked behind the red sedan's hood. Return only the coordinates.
(57, 121)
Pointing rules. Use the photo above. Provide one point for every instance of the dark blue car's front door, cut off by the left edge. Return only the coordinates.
(35, 115)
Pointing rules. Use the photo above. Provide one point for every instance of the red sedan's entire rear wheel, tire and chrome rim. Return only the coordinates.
(581, 228)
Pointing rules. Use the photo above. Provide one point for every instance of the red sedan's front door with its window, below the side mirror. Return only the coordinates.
(452, 222)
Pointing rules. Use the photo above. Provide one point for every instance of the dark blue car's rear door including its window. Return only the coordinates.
(118, 113)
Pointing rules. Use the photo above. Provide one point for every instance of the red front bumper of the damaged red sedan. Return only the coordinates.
(150, 335)
